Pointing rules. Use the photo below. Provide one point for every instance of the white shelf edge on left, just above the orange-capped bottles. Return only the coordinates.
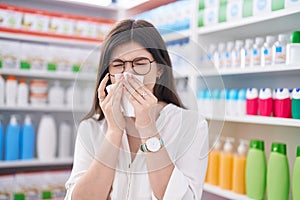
(49, 75)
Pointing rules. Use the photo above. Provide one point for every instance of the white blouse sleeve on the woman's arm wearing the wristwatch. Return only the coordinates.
(187, 178)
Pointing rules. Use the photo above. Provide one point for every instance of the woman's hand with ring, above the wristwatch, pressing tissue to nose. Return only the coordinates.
(145, 105)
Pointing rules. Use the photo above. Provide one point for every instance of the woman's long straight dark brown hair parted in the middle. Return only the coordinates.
(143, 33)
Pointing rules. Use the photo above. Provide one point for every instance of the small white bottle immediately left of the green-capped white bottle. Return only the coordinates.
(266, 53)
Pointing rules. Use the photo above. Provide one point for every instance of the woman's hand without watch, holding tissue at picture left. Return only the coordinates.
(110, 104)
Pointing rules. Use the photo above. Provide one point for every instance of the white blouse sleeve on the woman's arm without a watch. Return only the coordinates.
(83, 156)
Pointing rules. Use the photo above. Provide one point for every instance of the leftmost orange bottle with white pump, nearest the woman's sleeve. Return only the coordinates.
(214, 164)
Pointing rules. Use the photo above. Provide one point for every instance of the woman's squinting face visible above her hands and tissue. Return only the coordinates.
(130, 51)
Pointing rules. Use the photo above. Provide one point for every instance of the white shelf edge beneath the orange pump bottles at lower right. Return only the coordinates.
(224, 193)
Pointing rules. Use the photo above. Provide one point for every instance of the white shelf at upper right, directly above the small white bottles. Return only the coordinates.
(288, 17)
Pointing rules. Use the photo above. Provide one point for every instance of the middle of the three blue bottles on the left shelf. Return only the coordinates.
(12, 138)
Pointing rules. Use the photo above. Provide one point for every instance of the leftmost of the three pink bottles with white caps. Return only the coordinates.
(252, 101)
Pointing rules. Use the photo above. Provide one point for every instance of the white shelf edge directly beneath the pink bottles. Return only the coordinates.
(275, 121)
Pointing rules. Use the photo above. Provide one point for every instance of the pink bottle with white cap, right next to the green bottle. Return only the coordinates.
(283, 103)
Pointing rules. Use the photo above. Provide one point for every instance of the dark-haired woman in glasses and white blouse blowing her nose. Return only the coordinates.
(160, 152)
